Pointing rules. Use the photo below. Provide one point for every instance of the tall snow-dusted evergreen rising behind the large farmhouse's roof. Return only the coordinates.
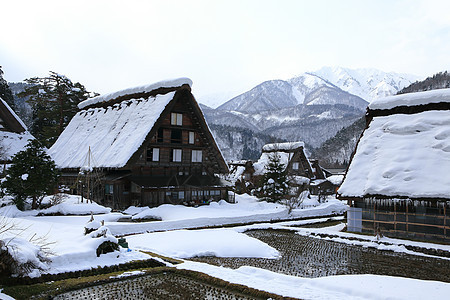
(54, 101)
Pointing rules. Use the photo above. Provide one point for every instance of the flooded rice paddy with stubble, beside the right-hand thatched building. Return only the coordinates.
(310, 257)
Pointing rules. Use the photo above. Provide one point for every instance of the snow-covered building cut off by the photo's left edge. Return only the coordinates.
(13, 133)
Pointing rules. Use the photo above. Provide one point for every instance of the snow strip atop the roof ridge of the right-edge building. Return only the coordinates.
(411, 99)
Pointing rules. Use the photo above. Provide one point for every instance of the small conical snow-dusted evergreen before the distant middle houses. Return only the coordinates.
(274, 185)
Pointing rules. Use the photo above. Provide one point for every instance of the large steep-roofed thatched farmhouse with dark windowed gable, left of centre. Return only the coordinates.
(143, 146)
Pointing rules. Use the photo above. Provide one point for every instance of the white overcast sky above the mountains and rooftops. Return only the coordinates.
(222, 46)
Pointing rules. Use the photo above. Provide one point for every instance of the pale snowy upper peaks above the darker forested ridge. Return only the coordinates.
(328, 85)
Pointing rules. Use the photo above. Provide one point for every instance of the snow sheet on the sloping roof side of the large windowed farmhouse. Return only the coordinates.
(114, 133)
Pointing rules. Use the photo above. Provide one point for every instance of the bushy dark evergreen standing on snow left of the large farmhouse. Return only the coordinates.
(32, 174)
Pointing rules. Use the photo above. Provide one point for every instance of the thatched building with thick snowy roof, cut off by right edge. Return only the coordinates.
(398, 179)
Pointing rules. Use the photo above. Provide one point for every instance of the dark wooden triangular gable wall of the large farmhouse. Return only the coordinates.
(166, 137)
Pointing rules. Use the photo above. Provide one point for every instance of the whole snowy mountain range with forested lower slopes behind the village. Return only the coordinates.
(311, 107)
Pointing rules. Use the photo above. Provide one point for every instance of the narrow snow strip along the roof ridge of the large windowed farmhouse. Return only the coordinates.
(140, 89)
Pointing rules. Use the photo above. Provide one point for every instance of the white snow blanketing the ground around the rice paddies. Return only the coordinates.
(72, 250)
